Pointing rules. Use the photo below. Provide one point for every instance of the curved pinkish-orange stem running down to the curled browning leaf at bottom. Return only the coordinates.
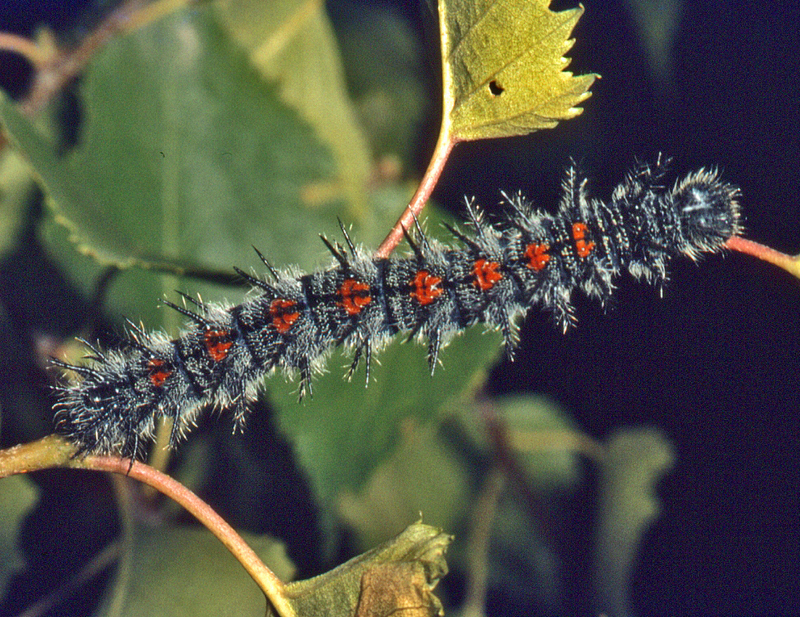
(269, 583)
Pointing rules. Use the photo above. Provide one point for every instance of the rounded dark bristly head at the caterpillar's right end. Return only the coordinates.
(708, 212)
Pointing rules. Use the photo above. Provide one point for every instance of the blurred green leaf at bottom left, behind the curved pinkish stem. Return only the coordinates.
(187, 571)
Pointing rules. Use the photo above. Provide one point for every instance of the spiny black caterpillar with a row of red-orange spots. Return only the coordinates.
(292, 321)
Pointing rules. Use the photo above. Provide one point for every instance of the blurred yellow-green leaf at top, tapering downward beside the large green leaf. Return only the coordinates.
(292, 44)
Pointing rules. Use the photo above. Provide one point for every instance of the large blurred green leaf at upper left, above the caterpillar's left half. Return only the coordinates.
(184, 153)
